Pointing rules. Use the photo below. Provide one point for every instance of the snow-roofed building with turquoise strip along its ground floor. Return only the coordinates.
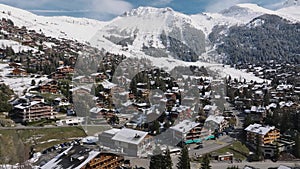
(186, 131)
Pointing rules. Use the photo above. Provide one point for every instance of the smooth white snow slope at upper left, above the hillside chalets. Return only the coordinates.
(80, 29)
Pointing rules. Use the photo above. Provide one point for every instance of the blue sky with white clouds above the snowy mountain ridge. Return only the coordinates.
(108, 9)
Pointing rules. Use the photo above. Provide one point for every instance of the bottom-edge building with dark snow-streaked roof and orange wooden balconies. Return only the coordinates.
(80, 157)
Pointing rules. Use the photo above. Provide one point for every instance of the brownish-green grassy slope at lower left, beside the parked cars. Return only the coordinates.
(15, 144)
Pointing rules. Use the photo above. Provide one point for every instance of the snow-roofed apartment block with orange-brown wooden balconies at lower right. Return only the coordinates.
(258, 134)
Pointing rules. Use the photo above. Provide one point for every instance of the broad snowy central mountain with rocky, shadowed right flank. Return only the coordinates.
(157, 32)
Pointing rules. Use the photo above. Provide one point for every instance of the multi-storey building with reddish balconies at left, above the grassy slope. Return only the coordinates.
(34, 110)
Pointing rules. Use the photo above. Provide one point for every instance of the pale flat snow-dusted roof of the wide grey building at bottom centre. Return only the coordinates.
(130, 136)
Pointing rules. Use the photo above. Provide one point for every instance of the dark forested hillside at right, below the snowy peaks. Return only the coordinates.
(267, 37)
